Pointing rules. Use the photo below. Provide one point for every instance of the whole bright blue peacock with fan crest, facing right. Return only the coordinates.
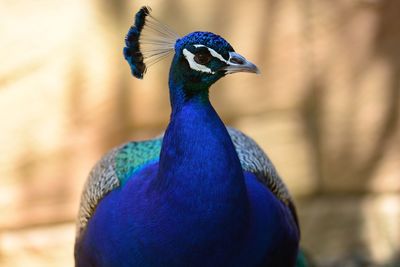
(201, 194)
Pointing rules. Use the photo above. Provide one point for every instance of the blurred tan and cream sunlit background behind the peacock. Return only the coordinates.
(326, 109)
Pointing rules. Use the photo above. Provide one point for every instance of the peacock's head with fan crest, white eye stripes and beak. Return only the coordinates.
(200, 59)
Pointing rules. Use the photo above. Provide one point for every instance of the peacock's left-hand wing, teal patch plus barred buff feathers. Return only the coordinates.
(112, 171)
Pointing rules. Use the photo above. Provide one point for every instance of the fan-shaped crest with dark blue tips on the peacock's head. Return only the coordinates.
(147, 42)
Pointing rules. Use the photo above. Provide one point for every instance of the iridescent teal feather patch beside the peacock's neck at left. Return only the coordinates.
(134, 156)
